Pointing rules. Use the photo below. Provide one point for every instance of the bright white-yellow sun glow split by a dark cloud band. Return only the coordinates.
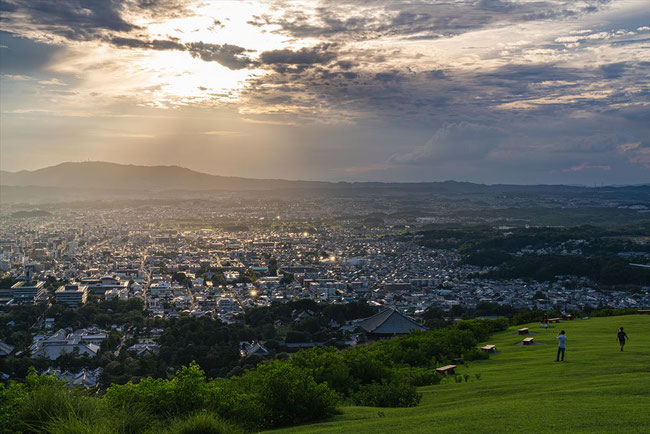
(170, 78)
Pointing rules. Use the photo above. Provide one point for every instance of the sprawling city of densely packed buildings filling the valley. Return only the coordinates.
(314, 251)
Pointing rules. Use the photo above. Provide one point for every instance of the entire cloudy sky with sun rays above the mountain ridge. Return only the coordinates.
(490, 91)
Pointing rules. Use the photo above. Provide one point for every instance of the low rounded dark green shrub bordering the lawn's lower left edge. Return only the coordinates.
(387, 394)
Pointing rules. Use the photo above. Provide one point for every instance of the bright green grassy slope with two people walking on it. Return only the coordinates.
(521, 389)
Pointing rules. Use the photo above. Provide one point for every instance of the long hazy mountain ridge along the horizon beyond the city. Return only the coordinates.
(111, 176)
